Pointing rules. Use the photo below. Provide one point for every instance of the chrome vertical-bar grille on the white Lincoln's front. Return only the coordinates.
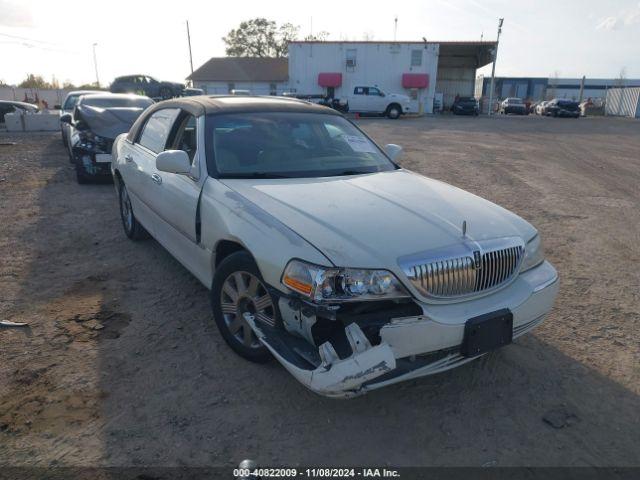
(475, 272)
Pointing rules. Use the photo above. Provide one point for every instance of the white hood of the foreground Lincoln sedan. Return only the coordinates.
(371, 220)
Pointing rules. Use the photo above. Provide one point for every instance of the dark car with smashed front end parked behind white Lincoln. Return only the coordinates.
(96, 121)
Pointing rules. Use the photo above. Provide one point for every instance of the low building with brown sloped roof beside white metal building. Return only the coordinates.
(261, 76)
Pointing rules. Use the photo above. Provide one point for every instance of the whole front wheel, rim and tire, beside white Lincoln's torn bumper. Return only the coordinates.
(238, 289)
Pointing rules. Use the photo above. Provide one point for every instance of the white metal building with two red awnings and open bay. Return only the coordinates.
(420, 70)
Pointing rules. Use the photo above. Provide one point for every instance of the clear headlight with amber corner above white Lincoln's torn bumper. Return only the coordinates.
(326, 284)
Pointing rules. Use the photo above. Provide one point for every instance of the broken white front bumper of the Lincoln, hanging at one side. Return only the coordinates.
(399, 348)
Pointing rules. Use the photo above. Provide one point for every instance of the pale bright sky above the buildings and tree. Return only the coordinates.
(567, 38)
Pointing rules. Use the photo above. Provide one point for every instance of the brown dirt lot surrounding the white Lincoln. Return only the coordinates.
(123, 366)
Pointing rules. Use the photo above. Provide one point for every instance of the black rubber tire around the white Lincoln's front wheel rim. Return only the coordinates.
(238, 263)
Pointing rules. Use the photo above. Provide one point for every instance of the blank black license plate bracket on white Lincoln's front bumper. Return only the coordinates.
(487, 332)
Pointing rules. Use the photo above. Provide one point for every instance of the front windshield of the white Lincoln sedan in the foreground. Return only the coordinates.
(276, 145)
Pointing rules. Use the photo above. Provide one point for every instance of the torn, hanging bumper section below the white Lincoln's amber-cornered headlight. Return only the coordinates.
(333, 376)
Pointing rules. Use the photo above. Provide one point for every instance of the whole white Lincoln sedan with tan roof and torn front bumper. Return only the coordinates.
(319, 250)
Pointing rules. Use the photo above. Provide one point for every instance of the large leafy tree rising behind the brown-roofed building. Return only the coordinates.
(260, 37)
